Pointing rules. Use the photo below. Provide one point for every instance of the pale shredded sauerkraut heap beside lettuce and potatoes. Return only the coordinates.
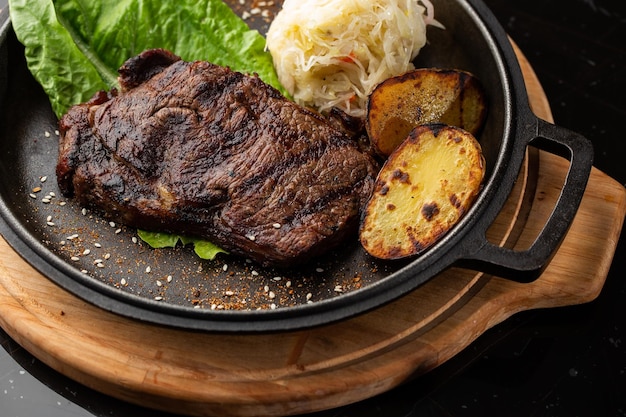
(332, 53)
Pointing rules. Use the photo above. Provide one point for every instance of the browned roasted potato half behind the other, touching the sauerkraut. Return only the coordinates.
(429, 95)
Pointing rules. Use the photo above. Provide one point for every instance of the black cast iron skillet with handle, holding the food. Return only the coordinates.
(99, 262)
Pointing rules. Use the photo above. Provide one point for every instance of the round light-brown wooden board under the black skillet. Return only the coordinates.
(297, 372)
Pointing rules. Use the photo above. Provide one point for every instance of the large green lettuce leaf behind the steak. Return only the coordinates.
(74, 47)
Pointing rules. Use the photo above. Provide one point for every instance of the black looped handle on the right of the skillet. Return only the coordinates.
(527, 265)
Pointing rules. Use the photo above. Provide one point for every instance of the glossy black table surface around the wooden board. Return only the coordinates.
(568, 361)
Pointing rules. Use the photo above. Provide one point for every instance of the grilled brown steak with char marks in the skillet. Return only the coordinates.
(197, 149)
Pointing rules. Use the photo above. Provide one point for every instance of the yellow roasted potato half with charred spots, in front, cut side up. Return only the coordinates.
(426, 185)
